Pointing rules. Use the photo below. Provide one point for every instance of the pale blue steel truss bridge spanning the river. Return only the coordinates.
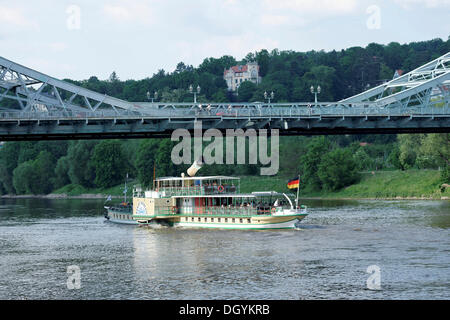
(35, 106)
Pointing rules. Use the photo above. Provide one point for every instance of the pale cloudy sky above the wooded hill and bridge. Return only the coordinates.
(80, 38)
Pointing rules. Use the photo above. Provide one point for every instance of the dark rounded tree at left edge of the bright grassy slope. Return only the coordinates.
(338, 169)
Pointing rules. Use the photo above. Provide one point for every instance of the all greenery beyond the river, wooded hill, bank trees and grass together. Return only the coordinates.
(331, 166)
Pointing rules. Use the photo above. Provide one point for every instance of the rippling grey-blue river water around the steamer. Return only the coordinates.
(326, 258)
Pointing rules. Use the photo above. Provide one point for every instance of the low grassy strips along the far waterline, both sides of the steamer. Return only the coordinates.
(375, 185)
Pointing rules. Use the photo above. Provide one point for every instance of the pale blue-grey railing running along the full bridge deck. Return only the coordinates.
(272, 111)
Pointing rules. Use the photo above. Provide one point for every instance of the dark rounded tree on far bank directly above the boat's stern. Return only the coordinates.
(109, 163)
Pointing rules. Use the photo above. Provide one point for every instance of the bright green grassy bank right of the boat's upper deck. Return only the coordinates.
(377, 185)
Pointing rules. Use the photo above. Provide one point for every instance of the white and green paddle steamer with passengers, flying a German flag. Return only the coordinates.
(207, 202)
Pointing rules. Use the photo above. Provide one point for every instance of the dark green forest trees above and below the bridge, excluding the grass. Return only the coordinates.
(324, 163)
